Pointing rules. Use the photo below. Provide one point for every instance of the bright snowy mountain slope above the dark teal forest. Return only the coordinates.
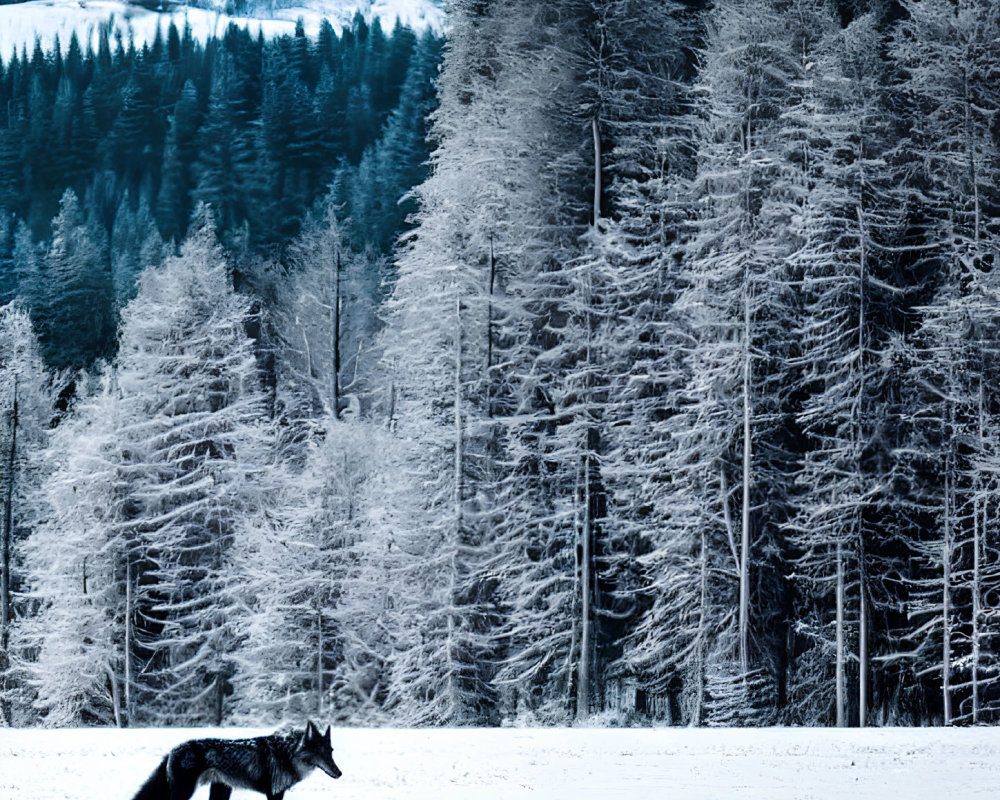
(46, 19)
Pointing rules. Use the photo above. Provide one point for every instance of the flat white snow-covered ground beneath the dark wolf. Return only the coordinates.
(577, 764)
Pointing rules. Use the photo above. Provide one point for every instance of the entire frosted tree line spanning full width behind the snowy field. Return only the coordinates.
(676, 400)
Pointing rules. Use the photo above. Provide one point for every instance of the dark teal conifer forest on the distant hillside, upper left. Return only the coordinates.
(119, 145)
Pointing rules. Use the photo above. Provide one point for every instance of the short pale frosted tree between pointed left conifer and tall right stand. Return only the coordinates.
(312, 642)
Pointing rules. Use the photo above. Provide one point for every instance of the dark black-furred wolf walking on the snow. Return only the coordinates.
(266, 764)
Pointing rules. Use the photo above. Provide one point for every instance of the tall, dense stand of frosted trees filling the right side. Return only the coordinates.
(676, 384)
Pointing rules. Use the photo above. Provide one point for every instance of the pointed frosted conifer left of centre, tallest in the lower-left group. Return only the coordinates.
(190, 443)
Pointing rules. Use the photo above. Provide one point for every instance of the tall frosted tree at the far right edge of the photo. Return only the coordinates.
(947, 168)
